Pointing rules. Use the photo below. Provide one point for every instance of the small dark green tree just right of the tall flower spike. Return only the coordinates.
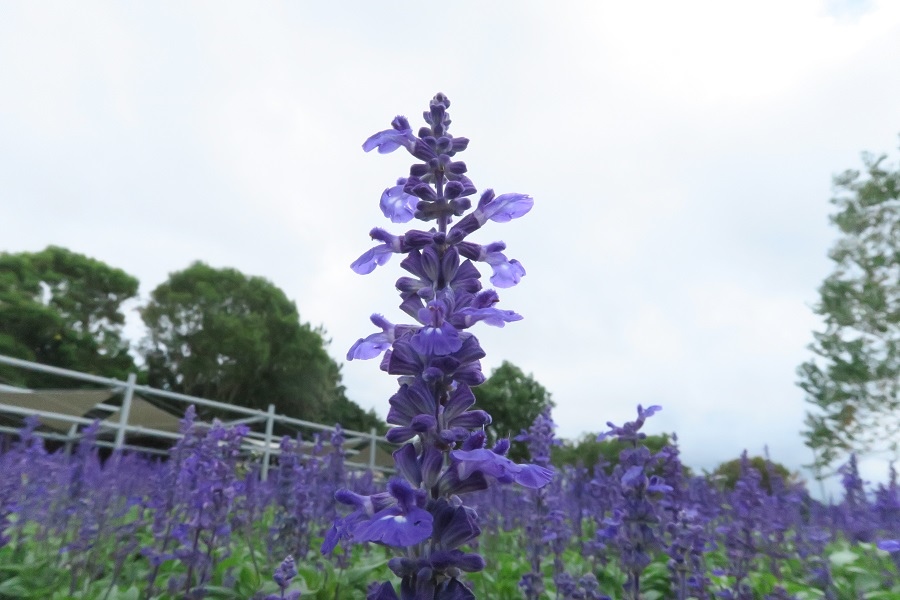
(513, 400)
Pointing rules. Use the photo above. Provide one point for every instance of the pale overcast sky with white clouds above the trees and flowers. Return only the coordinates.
(680, 155)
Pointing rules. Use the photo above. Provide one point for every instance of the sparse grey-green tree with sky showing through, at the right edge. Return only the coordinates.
(853, 381)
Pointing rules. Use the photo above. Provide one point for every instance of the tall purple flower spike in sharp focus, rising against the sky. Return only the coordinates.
(437, 360)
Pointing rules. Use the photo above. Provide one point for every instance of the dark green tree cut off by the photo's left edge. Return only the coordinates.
(63, 309)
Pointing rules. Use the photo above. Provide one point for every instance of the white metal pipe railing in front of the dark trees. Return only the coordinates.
(256, 442)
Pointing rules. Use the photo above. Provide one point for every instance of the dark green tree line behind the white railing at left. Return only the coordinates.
(212, 333)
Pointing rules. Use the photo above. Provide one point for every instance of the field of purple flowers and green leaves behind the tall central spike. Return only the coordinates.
(202, 525)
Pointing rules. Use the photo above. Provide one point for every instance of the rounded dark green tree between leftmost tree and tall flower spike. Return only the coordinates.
(223, 335)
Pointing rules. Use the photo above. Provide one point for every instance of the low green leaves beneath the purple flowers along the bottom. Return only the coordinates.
(33, 568)
